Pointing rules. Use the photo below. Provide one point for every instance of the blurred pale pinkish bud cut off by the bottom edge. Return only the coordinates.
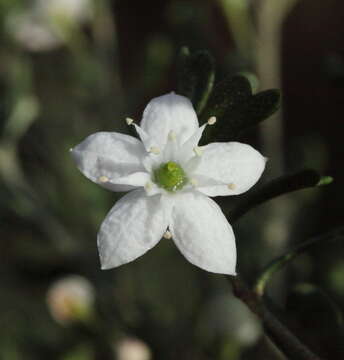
(132, 349)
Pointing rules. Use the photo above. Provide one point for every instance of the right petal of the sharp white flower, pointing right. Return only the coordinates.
(235, 166)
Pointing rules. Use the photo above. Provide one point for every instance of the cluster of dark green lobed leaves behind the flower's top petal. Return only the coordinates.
(231, 100)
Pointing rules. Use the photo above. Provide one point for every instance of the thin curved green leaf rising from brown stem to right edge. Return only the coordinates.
(281, 261)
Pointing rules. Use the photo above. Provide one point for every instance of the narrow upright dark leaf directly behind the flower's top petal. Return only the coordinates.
(196, 74)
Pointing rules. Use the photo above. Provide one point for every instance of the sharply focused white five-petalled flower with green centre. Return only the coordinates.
(171, 178)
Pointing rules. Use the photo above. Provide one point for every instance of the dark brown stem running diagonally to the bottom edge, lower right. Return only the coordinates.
(286, 341)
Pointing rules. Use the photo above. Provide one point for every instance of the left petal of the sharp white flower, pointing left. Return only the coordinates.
(104, 157)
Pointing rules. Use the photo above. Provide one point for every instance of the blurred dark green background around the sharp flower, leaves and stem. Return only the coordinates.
(69, 68)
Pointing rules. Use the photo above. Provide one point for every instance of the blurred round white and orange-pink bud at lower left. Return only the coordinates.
(71, 299)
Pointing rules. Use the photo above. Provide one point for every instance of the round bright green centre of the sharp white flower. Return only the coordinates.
(170, 176)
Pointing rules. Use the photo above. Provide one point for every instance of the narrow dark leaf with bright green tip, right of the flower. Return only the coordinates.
(280, 186)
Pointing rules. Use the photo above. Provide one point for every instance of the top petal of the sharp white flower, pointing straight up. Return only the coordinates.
(167, 113)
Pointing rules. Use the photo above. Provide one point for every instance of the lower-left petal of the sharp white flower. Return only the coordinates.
(133, 226)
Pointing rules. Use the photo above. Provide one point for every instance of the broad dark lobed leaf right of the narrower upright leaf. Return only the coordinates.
(237, 109)
